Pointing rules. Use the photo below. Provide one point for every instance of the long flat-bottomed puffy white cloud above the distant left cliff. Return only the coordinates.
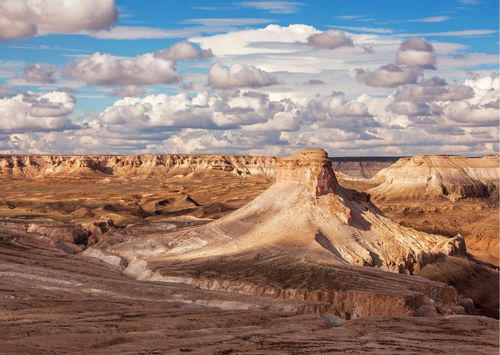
(205, 110)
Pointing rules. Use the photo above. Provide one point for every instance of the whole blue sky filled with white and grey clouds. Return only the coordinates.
(357, 78)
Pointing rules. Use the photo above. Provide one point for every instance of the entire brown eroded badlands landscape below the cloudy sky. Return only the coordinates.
(241, 254)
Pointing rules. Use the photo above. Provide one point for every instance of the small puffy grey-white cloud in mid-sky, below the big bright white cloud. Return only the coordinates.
(238, 76)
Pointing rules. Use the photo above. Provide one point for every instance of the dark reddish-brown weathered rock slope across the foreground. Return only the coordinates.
(52, 302)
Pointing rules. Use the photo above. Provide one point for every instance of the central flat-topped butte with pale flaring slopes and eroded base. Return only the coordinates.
(298, 240)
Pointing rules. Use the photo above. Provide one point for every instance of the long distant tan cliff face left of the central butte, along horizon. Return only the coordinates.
(129, 165)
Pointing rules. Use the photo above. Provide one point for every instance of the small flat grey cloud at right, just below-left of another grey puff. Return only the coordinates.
(390, 75)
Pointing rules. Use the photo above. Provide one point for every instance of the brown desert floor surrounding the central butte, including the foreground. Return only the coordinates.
(54, 299)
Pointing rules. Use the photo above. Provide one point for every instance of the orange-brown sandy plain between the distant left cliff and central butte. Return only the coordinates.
(127, 201)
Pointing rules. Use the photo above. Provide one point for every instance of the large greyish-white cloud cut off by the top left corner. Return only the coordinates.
(26, 18)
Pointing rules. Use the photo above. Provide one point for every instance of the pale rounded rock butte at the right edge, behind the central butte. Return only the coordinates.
(438, 176)
